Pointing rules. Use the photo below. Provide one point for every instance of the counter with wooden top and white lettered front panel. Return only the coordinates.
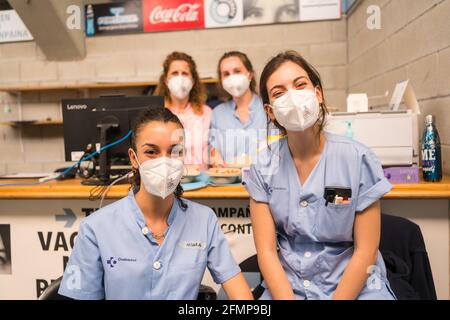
(43, 220)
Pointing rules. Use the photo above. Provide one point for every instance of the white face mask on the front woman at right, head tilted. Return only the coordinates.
(297, 110)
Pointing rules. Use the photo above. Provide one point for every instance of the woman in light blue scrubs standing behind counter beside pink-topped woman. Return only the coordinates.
(238, 126)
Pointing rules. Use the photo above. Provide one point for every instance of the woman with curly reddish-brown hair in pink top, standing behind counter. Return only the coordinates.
(185, 96)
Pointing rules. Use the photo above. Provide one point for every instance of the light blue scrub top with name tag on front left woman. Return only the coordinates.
(116, 257)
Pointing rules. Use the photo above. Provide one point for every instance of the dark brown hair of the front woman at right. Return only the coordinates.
(313, 75)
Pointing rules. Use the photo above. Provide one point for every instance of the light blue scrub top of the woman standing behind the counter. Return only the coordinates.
(231, 137)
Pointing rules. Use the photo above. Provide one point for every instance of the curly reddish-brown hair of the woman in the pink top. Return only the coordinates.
(197, 96)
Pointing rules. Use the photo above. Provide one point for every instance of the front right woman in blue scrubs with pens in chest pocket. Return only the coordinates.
(314, 204)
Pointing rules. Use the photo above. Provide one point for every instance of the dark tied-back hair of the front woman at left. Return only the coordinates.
(153, 114)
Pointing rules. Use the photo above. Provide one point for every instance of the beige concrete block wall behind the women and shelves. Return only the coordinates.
(412, 43)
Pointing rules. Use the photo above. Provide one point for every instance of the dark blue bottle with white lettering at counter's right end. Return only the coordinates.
(431, 152)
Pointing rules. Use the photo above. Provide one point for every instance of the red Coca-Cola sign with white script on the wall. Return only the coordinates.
(173, 15)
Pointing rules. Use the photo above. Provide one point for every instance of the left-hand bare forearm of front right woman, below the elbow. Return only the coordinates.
(275, 276)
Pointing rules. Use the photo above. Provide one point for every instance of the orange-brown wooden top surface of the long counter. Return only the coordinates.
(72, 189)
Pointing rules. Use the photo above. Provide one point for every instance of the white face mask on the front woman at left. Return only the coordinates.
(161, 176)
